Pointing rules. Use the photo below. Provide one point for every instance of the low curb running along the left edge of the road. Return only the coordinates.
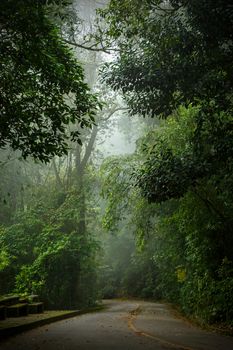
(10, 331)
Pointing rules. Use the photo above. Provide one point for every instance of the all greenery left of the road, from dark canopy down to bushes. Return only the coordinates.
(46, 217)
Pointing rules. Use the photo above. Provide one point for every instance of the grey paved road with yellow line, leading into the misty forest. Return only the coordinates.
(131, 325)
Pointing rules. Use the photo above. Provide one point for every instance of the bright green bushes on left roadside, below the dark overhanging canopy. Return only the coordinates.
(43, 251)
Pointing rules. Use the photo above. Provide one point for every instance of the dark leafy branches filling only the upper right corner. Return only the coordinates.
(170, 52)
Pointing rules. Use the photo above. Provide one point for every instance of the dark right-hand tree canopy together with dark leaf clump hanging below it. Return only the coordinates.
(174, 53)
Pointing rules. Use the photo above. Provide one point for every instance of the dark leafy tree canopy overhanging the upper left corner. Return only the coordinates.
(42, 84)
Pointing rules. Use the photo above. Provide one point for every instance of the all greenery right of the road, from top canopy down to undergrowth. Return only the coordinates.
(175, 60)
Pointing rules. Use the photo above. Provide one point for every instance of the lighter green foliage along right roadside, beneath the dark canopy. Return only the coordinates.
(184, 245)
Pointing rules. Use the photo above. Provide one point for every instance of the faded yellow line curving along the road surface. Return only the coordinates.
(133, 316)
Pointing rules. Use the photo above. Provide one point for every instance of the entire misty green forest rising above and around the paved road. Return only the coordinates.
(116, 139)
